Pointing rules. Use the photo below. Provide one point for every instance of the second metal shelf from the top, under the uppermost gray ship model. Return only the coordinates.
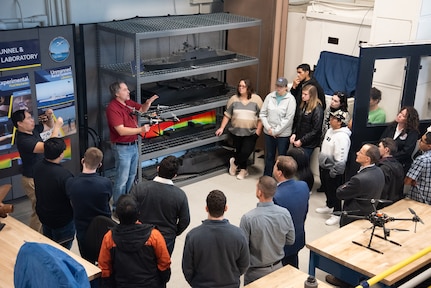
(125, 70)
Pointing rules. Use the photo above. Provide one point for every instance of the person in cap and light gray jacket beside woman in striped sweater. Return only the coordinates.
(277, 113)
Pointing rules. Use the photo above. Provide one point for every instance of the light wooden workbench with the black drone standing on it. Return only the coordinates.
(336, 254)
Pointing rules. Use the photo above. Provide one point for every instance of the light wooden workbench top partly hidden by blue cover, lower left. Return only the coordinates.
(13, 236)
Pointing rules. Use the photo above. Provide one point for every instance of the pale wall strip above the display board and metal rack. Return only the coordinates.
(58, 12)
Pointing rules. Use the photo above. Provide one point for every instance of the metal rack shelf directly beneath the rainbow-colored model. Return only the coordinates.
(166, 146)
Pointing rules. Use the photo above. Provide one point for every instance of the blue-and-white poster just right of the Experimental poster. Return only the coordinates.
(55, 90)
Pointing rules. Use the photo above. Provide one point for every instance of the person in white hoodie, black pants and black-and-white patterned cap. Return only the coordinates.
(332, 162)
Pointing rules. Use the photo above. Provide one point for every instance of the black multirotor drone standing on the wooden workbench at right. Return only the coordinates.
(379, 219)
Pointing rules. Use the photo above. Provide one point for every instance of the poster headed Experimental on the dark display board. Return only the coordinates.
(15, 94)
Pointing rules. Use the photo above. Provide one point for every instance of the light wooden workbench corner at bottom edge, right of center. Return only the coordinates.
(286, 277)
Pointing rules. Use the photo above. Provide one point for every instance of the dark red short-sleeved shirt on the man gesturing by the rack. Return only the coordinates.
(118, 114)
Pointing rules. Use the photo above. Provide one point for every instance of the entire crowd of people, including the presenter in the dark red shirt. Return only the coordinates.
(152, 214)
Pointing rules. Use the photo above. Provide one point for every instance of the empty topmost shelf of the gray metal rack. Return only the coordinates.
(154, 27)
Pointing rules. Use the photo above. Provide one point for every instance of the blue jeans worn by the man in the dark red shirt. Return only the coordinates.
(126, 164)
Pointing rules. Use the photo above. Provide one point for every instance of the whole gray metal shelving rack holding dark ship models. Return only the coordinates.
(134, 34)
